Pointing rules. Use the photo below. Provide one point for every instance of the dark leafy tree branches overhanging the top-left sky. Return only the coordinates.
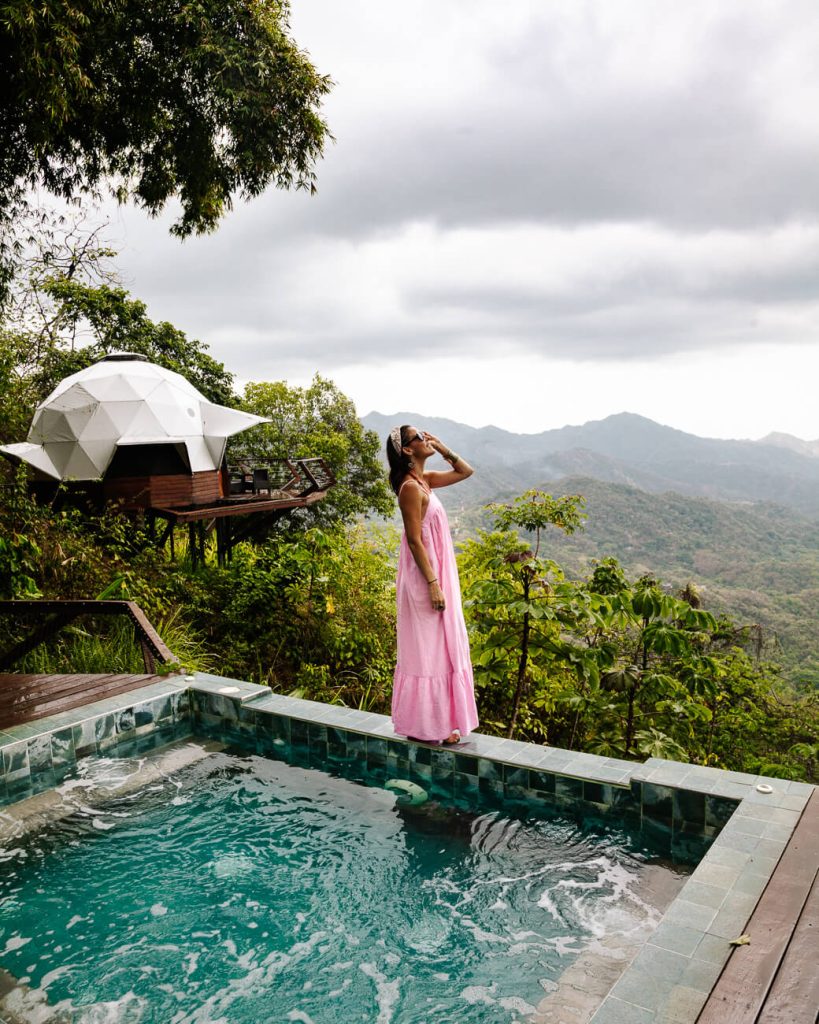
(197, 102)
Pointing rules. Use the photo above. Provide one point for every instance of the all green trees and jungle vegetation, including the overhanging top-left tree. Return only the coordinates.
(601, 661)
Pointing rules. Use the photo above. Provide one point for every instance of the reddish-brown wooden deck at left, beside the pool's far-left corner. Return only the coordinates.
(25, 698)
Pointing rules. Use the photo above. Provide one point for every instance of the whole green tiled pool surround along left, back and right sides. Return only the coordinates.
(746, 821)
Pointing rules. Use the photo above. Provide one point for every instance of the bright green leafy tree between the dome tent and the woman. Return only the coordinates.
(319, 421)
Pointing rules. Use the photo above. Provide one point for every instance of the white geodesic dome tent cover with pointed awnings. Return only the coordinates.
(125, 402)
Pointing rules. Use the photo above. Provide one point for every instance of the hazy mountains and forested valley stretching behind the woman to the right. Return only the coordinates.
(741, 520)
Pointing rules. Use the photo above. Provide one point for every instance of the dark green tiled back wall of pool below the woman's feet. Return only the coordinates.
(674, 823)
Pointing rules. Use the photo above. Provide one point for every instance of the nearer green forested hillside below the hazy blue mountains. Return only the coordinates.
(758, 564)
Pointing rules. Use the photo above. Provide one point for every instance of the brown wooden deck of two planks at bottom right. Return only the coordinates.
(775, 978)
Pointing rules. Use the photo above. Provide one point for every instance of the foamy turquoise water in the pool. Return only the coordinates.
(244, 890)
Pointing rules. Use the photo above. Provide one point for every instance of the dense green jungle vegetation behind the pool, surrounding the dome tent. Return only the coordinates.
(598, 661)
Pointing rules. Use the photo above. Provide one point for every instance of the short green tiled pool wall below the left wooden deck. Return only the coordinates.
(38, 756)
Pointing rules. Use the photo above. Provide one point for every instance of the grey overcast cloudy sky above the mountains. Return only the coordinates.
(536, 214)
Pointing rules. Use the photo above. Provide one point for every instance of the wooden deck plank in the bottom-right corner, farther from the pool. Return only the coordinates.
(795, 995)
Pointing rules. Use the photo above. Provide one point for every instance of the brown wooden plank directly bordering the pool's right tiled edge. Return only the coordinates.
(746, 983)
